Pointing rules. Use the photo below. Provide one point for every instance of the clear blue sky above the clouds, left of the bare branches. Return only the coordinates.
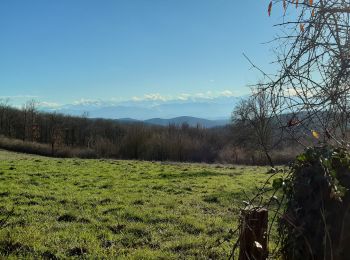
(63, 51)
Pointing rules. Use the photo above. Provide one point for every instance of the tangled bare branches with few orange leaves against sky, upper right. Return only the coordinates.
(314, 61)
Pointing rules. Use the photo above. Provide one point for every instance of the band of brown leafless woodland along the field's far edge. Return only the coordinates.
(31, 131)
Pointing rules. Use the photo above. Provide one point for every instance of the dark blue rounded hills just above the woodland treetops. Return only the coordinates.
(191, 121)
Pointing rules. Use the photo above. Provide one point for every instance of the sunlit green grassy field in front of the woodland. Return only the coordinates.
(119, 209)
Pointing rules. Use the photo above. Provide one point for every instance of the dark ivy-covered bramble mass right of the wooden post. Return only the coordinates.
(316, 220)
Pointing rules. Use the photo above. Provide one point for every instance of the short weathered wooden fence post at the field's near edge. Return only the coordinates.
(253, 235)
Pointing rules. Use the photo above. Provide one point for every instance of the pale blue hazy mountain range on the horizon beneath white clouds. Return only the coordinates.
(208, 108)
